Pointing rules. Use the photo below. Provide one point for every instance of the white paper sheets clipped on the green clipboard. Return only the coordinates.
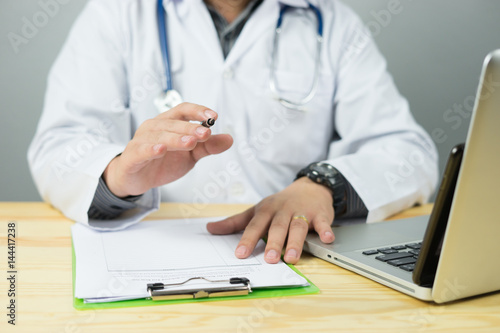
(112, 266)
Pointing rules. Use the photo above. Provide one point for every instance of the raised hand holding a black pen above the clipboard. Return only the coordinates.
(163, 150)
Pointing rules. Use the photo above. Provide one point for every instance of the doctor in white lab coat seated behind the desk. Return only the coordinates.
(308, 123)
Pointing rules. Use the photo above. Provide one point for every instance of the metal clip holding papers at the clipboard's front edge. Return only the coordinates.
(160, 291)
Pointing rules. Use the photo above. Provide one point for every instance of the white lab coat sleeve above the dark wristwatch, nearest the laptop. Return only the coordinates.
(387, 157)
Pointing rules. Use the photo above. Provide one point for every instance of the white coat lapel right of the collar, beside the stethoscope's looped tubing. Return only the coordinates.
(262, 20)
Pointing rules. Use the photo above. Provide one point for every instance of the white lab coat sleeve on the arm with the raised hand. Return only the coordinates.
(85, 122)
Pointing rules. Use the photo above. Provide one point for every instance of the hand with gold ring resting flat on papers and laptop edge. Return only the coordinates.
(286, 217)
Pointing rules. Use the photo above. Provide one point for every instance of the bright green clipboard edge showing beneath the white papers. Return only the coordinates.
(256, 293)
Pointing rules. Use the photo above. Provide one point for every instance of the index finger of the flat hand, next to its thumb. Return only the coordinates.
(254, 231)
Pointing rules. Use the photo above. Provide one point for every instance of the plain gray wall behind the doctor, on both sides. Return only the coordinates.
(434, 50)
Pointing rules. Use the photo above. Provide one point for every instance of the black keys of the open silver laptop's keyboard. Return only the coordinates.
(402, 256)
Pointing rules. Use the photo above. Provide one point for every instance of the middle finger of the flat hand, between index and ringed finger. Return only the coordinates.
(277, 236)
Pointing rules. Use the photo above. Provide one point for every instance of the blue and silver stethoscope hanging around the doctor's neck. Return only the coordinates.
(170, 97)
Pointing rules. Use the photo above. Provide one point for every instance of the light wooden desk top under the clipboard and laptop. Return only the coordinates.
(347, 302)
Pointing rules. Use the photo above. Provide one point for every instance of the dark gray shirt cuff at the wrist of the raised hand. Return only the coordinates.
(107, 206)
